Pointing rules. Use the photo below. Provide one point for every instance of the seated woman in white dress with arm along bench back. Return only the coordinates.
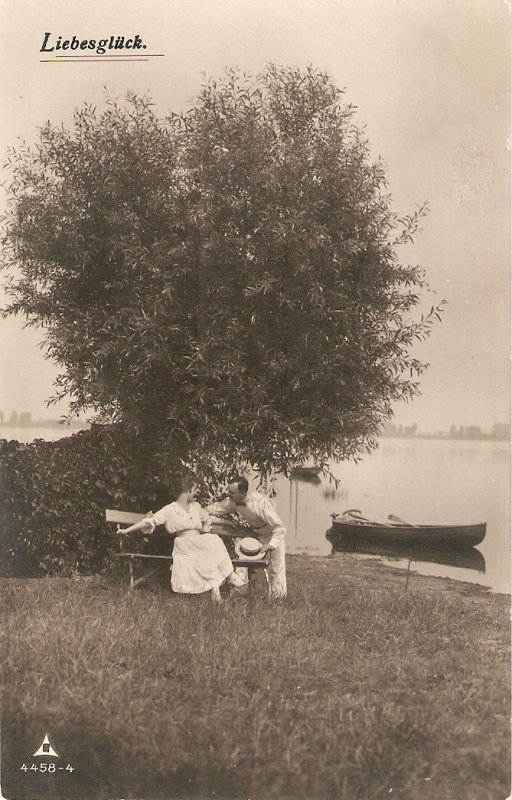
(201, 562)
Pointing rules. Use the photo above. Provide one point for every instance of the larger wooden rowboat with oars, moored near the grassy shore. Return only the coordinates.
(353, 526)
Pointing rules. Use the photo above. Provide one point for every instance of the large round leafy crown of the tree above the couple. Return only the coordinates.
(226, 278)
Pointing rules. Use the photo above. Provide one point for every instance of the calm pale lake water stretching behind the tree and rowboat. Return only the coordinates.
(420, 480)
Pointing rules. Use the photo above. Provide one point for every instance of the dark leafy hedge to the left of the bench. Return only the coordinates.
(53, 496)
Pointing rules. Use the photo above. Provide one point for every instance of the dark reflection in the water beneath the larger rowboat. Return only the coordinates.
(465, 557)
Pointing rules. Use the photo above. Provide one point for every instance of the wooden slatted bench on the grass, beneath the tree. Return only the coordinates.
(162, 544)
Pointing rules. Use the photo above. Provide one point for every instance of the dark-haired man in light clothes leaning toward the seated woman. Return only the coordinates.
(259, 512)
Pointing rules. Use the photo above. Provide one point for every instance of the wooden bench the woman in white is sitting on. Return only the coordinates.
(164, 561)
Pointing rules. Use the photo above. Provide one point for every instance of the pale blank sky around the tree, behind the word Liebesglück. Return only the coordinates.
(431, 81)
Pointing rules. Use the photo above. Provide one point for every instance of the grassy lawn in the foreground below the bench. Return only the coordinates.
(351, 689)
